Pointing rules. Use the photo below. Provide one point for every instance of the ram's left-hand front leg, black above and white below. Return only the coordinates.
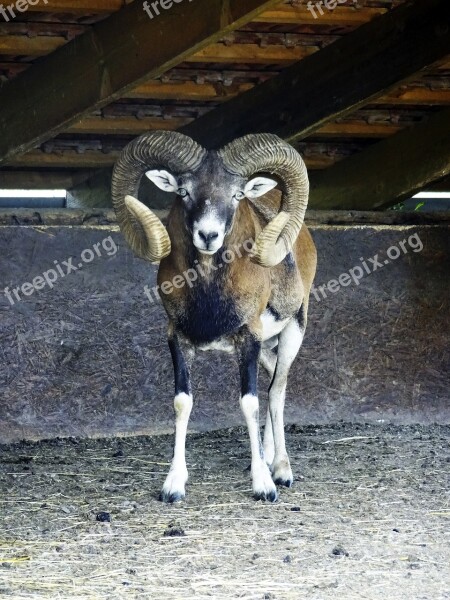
(174, 486)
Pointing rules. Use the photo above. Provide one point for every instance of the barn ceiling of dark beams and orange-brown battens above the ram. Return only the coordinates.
(72, 95)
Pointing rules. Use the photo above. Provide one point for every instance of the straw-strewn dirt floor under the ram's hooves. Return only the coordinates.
(369, 518)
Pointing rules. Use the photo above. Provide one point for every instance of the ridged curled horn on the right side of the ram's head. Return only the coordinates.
(267, 152)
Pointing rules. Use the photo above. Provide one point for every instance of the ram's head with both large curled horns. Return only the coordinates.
(211, 184)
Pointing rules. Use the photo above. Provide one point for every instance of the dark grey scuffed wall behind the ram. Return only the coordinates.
(88, 356)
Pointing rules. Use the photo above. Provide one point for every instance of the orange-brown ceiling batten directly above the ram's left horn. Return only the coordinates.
(126, 125)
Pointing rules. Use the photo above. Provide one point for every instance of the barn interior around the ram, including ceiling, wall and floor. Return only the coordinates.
(362, 90)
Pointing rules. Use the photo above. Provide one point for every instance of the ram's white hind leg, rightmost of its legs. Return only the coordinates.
(290, 340)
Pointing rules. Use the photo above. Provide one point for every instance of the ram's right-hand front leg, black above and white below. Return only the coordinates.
(249, 347)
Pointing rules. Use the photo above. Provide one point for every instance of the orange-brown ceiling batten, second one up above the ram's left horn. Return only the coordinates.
(188, 90)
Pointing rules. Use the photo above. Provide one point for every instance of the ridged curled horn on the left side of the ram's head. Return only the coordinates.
(142, 229)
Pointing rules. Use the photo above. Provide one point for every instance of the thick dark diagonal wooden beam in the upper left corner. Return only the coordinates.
(103, 64)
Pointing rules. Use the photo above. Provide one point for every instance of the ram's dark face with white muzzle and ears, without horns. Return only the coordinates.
(210, 198)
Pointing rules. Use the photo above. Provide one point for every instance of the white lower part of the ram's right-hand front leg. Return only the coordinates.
(263, 486)
